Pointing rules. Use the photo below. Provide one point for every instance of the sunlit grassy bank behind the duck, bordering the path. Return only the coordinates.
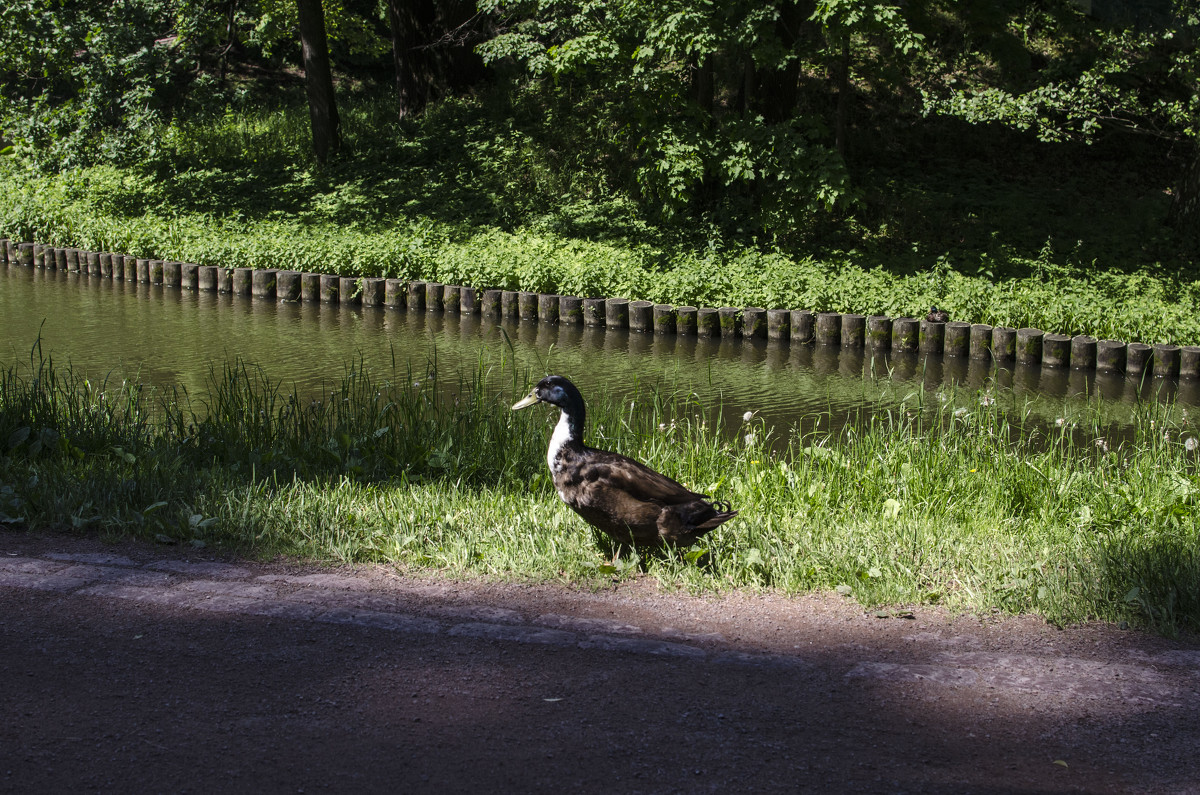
(917, 506)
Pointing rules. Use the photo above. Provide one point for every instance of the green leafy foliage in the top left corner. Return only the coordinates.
(83, 81)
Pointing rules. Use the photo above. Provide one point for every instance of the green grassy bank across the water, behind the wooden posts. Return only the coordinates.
(465, 198)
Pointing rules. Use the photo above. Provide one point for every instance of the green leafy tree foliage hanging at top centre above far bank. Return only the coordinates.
(632, 71)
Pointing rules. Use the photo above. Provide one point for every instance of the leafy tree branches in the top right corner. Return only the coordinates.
(1136, 71)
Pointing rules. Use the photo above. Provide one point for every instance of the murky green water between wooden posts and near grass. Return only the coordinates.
(164, 336)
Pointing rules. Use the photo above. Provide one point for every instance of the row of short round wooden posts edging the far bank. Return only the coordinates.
(877, 332)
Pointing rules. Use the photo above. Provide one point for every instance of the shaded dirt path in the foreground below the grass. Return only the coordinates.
(140, 668)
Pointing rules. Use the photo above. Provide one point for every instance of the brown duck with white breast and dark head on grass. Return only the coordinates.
(625, 499)
